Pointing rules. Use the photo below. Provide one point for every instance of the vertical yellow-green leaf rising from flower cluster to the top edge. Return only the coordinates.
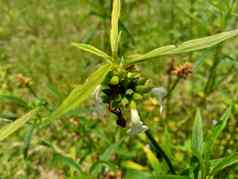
(114, 36)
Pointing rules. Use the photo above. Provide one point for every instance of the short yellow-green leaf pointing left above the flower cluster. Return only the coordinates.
(93, 50)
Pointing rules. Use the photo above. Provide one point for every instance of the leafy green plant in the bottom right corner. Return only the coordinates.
(202, 164)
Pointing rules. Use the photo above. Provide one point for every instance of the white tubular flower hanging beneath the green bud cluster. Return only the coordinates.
(136, 124)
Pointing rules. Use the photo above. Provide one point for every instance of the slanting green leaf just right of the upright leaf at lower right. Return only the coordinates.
(217, 130)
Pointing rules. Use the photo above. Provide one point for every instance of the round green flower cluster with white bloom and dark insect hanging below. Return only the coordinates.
(124, 88)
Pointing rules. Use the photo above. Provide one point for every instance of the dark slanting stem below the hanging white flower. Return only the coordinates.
(160, 152)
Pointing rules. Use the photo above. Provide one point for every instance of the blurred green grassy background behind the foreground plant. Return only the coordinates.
(35, 41)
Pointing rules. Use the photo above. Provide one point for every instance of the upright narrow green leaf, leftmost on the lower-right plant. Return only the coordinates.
(197, 136)
